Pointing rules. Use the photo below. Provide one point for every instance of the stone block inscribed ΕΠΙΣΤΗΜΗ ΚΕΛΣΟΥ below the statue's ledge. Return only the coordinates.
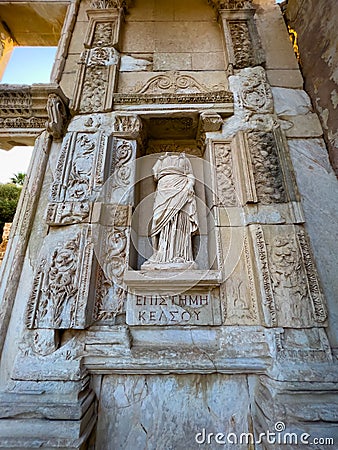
(194, 308)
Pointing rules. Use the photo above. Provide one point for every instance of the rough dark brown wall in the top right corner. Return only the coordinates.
(319, 62)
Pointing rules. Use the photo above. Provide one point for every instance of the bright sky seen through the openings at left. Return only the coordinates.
(27, 65)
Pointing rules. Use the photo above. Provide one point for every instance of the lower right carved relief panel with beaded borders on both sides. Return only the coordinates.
(292, 294)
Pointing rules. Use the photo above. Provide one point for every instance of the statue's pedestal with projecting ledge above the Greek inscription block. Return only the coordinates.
(173, 298)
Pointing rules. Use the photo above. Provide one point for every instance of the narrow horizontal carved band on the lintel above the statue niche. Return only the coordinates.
(165, 98)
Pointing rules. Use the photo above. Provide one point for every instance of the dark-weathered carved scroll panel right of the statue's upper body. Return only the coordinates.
(266, 167)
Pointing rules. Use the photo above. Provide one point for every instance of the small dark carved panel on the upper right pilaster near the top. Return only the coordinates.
(241, 43)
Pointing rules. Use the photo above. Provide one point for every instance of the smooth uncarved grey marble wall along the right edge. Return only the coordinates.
(319, 190)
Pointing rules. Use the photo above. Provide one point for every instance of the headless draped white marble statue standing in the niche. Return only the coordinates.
(174, 218)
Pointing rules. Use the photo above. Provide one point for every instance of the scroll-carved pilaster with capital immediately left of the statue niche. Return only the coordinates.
(114, 218)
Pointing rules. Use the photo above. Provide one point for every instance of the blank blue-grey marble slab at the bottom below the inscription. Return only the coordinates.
(165, 413)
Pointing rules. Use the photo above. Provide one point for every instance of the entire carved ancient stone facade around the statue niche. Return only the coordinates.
(187, 120)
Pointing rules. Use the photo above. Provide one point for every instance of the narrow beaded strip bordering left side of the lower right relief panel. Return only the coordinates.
(265, 274)
